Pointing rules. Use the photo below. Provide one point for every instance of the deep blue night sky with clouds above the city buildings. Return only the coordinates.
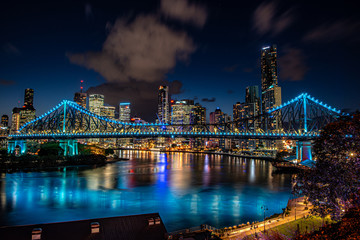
(208, 51)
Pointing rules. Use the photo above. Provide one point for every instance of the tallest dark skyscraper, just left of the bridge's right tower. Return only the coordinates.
(270, 91)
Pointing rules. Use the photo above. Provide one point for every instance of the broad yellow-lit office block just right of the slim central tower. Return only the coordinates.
(182, 112)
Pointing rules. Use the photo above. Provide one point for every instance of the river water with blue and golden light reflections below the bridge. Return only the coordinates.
(186, 189)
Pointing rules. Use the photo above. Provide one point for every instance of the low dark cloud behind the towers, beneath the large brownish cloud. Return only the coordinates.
(141, 95)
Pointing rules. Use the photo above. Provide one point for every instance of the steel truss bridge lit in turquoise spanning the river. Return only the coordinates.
(301, 119)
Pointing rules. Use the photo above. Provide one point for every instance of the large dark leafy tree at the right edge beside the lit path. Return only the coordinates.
(332, 186)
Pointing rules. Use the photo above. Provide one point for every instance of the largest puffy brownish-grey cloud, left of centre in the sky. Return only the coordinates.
(144, 49)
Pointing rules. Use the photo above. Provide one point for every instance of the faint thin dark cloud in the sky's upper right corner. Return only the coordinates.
(333, 31)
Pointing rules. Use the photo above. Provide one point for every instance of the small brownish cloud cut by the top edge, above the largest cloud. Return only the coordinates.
(184, 11)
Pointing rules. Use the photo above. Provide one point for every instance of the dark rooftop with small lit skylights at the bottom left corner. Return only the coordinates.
(134, 227)
